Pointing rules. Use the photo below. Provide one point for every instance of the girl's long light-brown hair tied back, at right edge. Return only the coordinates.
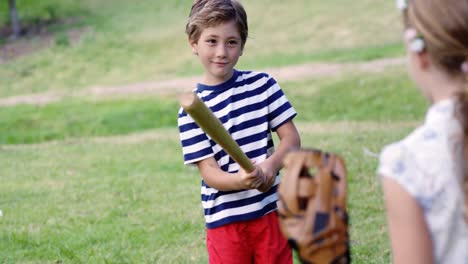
(443, 25)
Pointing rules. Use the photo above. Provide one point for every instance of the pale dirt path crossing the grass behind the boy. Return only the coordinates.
(175, 86)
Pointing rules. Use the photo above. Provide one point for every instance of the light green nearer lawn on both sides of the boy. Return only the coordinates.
(130, 199)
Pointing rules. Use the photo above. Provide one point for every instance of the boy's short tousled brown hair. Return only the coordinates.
(210, 13)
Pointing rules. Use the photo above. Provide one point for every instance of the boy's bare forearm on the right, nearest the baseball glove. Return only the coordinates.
(289, 140)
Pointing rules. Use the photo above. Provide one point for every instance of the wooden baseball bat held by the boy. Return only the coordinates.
(207, 121)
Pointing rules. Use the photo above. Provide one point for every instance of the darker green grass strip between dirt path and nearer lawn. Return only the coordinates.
(351, 96)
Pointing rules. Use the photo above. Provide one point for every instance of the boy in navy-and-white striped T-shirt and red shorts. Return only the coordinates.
(241, 221)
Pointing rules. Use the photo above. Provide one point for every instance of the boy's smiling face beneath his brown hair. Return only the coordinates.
(219, 49)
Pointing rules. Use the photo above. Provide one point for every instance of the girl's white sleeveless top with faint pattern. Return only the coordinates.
(427, 164)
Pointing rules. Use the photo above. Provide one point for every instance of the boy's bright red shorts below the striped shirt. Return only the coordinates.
(255, 241)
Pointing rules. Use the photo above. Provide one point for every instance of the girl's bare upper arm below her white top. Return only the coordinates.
(409, 235)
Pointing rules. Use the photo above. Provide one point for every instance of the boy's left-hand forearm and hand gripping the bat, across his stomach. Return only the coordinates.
(225, 181)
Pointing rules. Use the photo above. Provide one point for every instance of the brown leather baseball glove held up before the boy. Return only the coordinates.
(312, 206)
